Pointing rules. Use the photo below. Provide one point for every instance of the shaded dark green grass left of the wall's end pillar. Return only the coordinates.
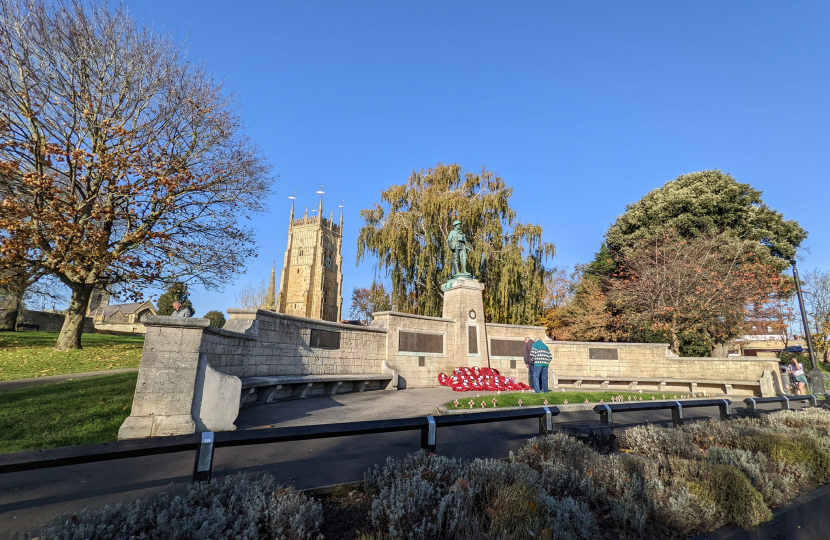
(80, 411)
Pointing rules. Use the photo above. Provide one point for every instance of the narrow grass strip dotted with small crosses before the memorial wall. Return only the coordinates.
(553, 398)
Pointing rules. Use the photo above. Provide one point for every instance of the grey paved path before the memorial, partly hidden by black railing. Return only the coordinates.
(28, 499)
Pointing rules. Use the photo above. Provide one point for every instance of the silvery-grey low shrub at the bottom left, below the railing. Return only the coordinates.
(233, 508)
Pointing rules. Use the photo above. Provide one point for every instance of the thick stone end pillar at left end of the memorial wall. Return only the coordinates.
(166, 378)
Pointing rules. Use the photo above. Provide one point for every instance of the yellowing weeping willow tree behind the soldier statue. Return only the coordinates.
(408, 236)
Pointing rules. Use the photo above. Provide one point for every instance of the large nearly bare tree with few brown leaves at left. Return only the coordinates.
(123, 163)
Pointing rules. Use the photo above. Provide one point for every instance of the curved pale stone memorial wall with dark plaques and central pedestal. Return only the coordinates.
(190, 372)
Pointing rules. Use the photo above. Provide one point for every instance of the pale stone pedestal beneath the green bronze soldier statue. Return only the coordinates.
(463, 303)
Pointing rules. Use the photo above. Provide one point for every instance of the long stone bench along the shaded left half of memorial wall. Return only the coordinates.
(269, 388)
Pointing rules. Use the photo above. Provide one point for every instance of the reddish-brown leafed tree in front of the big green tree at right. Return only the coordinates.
(697, 292)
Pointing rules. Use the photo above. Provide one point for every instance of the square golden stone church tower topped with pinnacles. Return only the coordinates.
(312, 277)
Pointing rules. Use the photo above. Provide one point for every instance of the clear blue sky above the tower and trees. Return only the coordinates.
(583, 107)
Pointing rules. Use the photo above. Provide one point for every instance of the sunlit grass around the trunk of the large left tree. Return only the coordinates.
(31, 354)
